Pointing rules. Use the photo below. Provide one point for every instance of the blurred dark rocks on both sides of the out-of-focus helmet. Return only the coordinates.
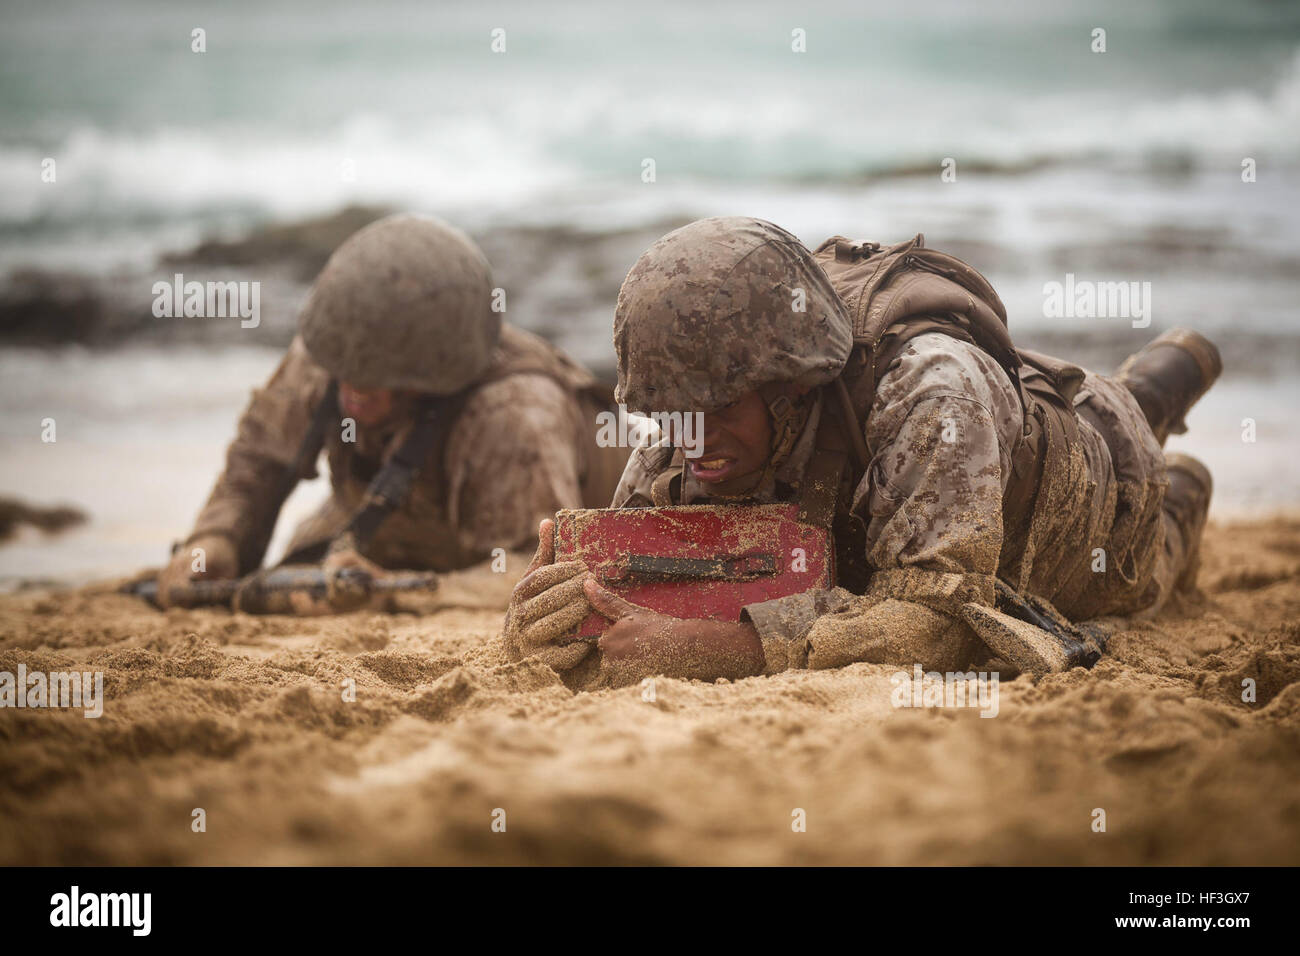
(561, 283)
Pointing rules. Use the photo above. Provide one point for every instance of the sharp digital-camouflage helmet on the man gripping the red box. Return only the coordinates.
(712, 312)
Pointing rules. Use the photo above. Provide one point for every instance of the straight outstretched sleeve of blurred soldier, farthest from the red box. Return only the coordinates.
(245, 503)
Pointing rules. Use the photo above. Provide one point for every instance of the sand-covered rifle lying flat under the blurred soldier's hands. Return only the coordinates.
(275, 590)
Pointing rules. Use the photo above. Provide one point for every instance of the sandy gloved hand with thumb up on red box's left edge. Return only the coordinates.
(547, 607)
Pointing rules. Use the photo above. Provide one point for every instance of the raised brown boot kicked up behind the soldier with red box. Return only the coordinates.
(1169, 375)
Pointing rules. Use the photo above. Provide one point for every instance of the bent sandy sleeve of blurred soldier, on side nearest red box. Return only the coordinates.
(513, 460)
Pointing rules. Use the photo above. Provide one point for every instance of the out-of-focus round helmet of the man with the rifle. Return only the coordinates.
(404, 304)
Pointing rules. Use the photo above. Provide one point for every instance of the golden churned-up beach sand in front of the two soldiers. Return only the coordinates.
(245, 719)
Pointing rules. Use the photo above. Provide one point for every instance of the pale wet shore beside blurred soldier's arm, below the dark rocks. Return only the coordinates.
(137, 452)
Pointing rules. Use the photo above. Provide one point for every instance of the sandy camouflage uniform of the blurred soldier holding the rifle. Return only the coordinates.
(515, 449)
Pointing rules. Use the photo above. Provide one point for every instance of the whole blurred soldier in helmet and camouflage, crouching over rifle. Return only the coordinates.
(408, 305)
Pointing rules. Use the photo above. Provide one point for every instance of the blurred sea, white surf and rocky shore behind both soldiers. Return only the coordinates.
(302, 122)
